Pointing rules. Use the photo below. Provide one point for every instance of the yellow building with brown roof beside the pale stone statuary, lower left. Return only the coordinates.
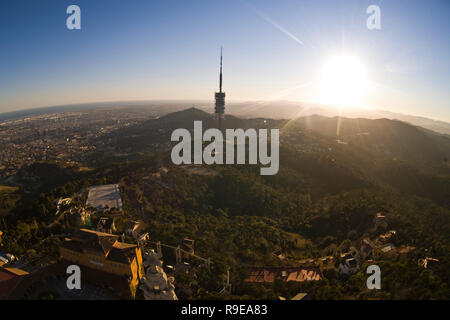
(103, 252)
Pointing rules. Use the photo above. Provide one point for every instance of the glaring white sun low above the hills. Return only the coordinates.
(343, 81)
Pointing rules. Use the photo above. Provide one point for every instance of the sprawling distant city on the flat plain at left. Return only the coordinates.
(70, 138)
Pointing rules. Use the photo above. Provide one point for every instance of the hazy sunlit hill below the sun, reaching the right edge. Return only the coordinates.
(391, 138)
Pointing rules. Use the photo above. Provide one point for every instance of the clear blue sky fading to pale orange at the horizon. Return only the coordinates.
(273, 50)
